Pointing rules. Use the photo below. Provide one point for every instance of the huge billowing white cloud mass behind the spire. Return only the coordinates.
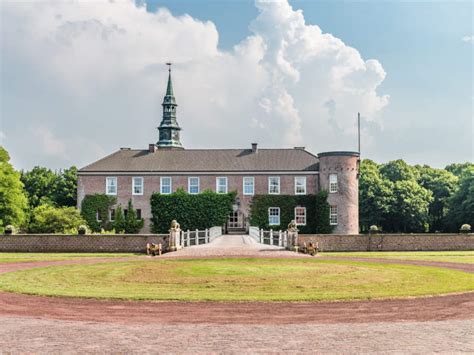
(94, 72)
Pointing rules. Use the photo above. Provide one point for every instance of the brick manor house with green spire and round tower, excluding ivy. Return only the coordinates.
(167, 166)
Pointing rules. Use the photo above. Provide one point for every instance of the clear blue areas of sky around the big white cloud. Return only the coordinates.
(429, 68)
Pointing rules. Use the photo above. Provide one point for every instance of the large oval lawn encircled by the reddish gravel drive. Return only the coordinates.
(238, 280)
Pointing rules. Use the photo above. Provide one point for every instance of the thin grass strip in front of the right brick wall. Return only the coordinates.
(466, 257)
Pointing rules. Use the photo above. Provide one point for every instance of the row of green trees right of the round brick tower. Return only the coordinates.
(398, 197)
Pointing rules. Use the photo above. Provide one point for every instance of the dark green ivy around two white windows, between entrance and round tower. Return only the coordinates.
(317, 211)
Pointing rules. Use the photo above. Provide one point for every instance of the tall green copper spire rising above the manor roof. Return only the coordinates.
(169, 127)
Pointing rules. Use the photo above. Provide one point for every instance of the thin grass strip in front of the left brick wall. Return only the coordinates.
(29, 257)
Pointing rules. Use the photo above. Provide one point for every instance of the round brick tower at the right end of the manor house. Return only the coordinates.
(339, 175)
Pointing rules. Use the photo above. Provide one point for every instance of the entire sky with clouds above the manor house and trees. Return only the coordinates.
(81, 79)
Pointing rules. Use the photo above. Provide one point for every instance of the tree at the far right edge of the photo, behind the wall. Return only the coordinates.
(461, 204)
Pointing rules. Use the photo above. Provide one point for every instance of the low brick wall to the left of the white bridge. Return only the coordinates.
(80, 243)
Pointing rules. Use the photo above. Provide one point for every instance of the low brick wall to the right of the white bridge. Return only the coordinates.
(390, 242)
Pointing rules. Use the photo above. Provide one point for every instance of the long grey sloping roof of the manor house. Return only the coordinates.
(206, 160)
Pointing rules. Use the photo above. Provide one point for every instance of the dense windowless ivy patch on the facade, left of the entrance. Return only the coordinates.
(200, 211)
